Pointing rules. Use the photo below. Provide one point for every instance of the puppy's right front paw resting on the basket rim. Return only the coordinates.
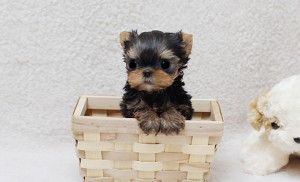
(171, 122)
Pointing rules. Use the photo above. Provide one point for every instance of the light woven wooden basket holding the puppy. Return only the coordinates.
(112, 148)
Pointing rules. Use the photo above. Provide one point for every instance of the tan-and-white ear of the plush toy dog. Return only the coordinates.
(255, 114)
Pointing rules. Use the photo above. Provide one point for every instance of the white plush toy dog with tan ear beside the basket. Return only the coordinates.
(275, 116)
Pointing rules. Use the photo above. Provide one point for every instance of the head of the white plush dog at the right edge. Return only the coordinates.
(277, 112)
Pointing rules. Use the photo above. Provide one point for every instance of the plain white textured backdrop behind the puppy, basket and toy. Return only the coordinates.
(52, 51)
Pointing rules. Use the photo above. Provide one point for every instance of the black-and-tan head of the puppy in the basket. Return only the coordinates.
(154, 59)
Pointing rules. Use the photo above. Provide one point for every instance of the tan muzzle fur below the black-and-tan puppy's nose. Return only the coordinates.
(158, 81)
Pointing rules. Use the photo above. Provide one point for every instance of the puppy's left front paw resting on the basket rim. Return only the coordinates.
(149, 122)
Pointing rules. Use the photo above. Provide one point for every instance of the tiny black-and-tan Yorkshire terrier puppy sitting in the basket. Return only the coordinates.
(154, 93)
